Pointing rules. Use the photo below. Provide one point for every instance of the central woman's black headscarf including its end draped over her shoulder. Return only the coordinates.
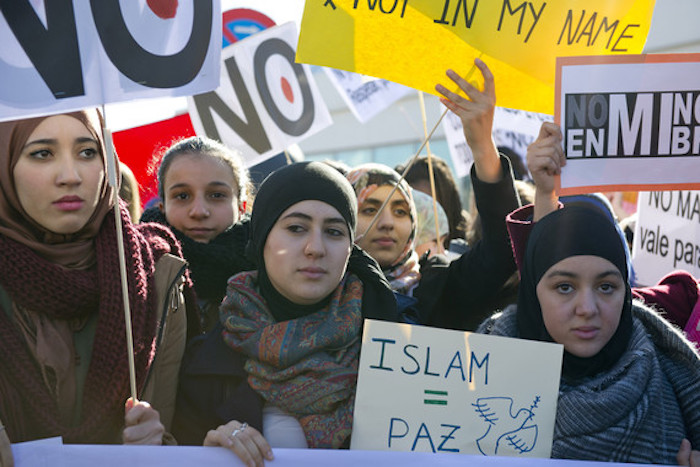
(313, 181)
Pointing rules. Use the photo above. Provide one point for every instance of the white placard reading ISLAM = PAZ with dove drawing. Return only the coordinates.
(427, 389)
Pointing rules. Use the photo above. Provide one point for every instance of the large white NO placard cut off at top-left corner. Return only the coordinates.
(63, 55)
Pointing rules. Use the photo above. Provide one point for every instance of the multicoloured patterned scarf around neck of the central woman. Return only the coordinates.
(306, 366)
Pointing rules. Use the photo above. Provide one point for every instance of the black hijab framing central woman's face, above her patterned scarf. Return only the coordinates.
(283, 188)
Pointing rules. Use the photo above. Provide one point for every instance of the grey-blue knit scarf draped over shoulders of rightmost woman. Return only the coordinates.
(637, 411)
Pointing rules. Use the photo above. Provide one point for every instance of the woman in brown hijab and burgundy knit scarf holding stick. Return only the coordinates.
(61, 308)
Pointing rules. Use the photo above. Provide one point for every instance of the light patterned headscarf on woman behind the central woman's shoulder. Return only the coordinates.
(404, 273)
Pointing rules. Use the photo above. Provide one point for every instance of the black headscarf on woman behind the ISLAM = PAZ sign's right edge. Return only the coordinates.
(572, 231)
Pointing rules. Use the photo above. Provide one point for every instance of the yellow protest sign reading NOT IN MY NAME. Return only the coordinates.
(413, 42)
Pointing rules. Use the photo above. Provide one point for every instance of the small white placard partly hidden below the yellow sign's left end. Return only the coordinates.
(365, 96)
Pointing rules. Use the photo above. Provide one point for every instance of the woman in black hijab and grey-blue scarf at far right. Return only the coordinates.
(630, 385)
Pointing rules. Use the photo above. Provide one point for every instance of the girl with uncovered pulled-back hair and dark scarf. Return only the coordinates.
(203, 188)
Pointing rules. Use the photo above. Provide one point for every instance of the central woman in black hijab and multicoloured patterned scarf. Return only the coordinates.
(285, 356)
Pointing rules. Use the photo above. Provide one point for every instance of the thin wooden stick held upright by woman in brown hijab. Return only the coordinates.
(112, 177)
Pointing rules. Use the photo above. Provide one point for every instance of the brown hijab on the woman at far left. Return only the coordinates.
(74, 250)
